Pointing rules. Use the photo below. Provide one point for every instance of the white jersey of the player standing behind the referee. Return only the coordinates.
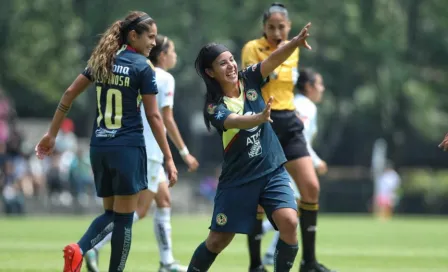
(307, 111)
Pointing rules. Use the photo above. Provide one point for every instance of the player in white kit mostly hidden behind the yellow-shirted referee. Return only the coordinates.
(311, 88)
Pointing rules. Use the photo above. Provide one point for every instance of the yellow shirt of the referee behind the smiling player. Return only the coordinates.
(281, 85)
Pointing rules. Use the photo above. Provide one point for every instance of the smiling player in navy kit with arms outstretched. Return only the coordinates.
(252, 171)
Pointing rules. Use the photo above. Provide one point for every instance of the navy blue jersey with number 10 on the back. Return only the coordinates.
(118, 120)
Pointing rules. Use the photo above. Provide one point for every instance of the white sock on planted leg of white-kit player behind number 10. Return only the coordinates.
(162, 230)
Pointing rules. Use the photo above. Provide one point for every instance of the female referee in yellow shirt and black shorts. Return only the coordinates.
(288, 127)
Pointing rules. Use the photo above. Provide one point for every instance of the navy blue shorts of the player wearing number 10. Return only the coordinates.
(118, 170)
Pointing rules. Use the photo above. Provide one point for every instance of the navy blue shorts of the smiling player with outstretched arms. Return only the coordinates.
(235, 208)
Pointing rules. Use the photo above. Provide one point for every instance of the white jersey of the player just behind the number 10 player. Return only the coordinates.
(165, 98)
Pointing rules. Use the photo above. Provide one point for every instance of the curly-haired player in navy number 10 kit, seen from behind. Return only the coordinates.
(123, 78)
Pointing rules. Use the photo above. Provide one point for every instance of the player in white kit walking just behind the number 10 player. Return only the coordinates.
(163, 56)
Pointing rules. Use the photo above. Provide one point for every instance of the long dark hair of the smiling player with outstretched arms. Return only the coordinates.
(204, 60)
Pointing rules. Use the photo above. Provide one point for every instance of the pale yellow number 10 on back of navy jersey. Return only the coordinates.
(114, 108)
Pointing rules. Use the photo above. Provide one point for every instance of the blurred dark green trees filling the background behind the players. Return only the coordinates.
(384, 62)
